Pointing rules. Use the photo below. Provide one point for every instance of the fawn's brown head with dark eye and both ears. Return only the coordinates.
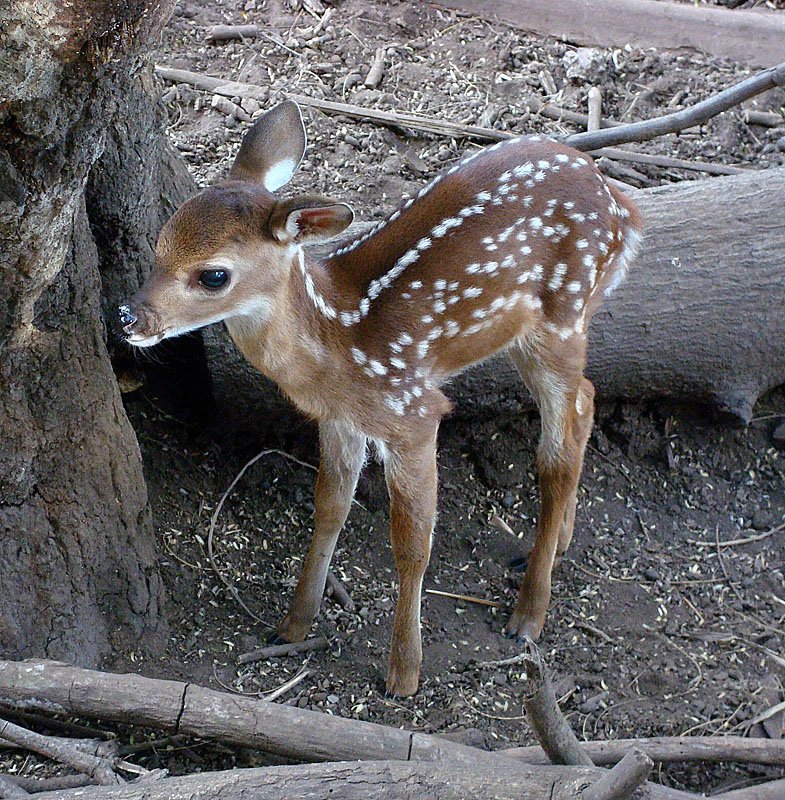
(228, 251)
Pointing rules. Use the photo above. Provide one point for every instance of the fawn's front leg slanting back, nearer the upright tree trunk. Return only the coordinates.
(342, 454)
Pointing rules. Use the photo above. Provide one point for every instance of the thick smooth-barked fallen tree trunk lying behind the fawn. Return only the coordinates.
(700, 317)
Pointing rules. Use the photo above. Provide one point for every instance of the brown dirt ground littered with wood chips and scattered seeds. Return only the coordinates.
(657, 626)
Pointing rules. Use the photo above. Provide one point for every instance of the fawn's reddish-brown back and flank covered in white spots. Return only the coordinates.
(518, 240)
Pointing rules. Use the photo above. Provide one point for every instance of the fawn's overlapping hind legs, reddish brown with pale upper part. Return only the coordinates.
(553, 373)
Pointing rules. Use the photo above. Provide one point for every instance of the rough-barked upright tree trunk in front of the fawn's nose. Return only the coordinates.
(79, 575)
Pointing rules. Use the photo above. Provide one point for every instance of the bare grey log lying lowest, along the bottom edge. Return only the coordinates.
(382, 780)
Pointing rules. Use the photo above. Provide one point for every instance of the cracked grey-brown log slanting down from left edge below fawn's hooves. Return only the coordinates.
(184, 708)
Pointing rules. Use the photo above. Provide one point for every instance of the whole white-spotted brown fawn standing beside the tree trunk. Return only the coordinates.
(512, 248)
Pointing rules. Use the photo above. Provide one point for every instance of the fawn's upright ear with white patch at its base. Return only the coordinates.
(272, 148)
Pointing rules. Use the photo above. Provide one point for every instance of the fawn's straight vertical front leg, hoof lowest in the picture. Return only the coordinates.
(411, 481)
